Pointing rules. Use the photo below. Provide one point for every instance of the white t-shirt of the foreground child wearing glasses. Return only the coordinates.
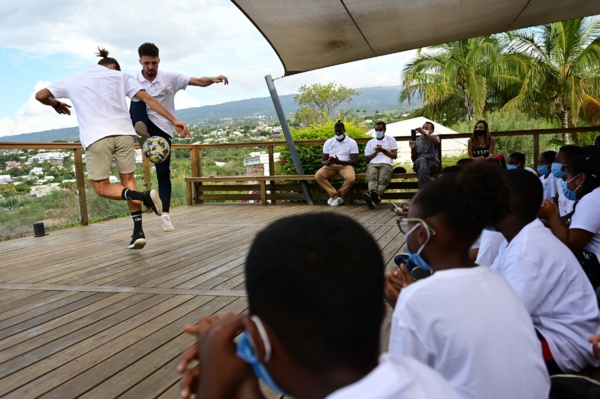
(470, 326)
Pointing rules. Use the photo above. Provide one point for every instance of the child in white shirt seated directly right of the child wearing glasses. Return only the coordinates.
(548, 279)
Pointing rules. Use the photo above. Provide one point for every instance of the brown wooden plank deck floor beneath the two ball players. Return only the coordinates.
(82, 316)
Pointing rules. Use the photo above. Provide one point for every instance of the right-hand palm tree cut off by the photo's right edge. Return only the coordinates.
(564, 78)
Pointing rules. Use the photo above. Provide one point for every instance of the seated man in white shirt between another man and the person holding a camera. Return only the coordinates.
(380, 153)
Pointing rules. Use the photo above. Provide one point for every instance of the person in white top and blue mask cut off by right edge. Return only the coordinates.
(582, 236)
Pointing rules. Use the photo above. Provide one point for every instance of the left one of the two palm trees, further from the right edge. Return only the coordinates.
(461, 79)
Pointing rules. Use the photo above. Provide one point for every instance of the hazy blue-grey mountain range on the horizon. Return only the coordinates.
(369, 100)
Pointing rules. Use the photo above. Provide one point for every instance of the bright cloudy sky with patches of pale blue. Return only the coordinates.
(42, 41)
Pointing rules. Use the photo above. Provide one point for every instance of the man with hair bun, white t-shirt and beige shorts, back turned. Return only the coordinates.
(98, 95)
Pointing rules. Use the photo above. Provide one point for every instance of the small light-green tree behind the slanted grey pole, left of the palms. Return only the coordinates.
(317, 102)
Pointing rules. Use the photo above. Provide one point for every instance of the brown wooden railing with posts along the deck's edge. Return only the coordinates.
(196, 153)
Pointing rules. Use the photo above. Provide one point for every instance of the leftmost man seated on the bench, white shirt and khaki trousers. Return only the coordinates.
(340, 156)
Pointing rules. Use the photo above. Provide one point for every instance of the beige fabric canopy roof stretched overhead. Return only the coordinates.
(313, 34)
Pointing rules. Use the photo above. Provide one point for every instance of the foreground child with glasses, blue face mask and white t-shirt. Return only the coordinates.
(464, 320)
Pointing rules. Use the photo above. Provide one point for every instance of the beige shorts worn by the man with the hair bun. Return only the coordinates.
(99, 156)
